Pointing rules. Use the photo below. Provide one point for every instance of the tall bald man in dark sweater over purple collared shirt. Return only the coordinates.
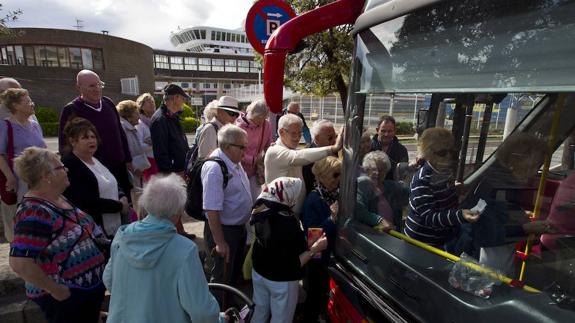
(113, 150)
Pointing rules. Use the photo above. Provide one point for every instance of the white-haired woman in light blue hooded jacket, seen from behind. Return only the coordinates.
(154, 274)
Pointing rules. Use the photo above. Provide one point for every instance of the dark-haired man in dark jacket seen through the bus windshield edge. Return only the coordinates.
(386, 141)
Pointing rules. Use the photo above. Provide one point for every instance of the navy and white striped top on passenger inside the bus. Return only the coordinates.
(433, 208)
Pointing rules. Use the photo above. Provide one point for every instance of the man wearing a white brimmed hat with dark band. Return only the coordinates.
(227, 112)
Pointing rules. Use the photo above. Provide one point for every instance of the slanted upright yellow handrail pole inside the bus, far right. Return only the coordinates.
(542, 181)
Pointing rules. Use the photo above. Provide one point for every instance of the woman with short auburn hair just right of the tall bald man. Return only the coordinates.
(129, 118)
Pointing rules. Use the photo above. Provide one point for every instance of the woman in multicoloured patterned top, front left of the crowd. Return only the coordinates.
(55, 244)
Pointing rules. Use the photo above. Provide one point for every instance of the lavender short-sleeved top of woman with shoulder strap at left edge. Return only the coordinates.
(24, 137)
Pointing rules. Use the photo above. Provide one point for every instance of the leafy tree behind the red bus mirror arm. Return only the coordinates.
(322, 66)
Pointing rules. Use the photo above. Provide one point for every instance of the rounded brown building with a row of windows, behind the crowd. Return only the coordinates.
(46, 61)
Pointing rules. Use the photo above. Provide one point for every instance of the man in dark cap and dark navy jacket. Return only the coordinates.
(169, 141)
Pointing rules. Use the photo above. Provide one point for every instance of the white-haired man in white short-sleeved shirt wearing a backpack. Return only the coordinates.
(227, 208)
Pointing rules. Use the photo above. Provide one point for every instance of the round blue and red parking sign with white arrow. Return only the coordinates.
(264, 17)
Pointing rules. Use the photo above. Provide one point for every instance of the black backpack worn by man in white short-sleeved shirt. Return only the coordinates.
(195, 190)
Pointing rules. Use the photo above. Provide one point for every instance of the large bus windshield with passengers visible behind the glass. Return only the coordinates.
(496, 79)
